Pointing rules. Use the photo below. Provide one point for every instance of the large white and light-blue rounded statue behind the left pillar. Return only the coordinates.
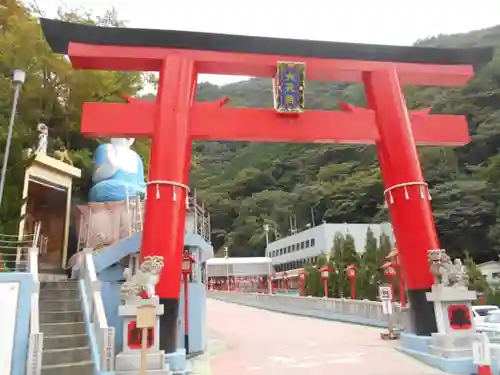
(118, 172)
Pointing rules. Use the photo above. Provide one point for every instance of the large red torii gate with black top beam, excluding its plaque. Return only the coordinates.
(174, 120)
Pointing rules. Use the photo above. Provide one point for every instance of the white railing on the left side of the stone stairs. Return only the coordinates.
(35, 346)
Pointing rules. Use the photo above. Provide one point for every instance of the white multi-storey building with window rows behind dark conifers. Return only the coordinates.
(294, 251)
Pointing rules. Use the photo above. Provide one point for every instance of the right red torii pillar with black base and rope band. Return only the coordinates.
(406, 192)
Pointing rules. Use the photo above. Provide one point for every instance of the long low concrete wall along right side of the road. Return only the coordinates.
(345, 310)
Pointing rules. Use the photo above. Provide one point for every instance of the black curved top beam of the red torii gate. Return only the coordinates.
(59, 34)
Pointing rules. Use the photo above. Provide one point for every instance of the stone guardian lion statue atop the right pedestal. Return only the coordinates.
(446, 272)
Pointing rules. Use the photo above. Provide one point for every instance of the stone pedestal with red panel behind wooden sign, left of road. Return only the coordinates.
(128, 362)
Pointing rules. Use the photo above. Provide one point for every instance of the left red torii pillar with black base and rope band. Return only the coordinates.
(168, 185)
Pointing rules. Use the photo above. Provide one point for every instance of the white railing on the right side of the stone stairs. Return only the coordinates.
(105, 335)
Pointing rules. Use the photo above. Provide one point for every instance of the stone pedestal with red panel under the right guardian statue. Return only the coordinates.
(455, 323)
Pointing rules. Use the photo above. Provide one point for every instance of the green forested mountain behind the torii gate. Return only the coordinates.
(248, 184)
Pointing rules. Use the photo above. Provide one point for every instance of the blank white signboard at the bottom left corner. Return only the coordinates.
(9, 293)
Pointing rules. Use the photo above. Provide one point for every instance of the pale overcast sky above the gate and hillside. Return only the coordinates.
(396, 22)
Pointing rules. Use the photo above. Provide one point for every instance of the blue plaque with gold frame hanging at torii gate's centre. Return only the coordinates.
(289, 87)
